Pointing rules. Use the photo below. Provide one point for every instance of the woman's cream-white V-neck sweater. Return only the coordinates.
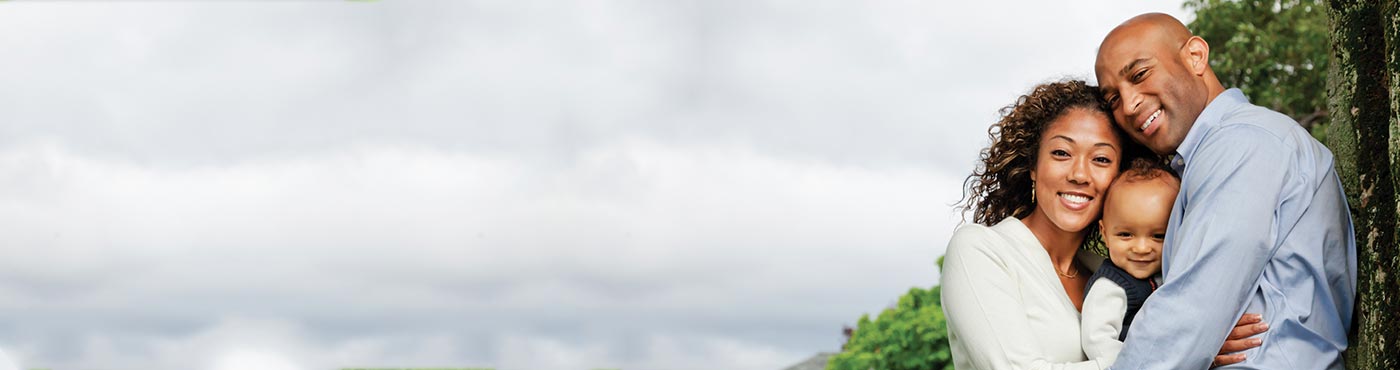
(1006, 306)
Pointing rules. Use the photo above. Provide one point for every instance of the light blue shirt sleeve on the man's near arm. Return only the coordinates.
(1233, 186)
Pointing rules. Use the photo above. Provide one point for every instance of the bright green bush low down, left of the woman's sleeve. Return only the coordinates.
(909, 336)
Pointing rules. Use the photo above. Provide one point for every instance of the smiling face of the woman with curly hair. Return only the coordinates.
(1077, 159)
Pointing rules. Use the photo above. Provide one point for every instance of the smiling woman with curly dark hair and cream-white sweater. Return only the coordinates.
(1013, 284)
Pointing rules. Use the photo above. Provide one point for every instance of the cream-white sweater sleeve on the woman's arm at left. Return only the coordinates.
(985, 312)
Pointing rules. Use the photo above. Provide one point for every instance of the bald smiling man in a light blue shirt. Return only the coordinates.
(1261, 224)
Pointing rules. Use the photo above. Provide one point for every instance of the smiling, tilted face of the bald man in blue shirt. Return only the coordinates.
(1156, 97)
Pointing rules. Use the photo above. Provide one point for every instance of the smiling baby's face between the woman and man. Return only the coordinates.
(1135, 224)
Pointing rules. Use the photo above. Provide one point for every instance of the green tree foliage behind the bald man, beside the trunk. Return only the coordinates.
(1276, 51)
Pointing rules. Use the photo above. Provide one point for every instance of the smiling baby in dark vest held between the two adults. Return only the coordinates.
(1136, 210)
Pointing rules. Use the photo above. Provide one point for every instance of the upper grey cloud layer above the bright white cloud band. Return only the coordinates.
(871, 85)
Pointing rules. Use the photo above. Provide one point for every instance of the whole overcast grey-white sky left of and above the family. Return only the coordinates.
(680, 184)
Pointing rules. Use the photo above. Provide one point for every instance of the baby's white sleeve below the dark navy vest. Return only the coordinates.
(1102, 320)
